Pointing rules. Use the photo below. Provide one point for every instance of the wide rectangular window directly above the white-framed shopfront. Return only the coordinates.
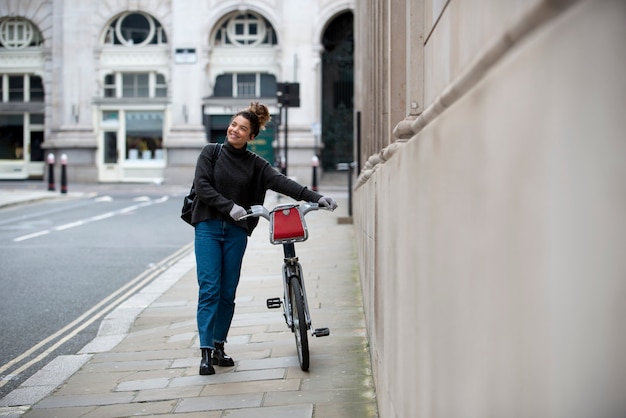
(118, 85)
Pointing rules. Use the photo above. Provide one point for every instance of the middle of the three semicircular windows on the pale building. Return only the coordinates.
(135, 29)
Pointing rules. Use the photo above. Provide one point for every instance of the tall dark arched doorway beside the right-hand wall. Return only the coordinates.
(338, 91)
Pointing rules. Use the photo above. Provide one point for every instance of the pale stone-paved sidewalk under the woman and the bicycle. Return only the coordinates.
(145, 359)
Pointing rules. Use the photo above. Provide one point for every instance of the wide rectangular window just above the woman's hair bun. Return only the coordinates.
(245, 85)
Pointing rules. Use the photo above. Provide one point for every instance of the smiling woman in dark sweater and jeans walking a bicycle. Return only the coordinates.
(227, 182)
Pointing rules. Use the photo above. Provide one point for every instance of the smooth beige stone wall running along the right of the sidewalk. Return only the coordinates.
(491, 228)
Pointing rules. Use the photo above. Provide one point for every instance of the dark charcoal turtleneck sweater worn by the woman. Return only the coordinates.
(242, 177)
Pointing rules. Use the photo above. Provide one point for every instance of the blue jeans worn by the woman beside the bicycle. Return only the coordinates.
(219, 249)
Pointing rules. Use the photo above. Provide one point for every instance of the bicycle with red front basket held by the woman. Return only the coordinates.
(287, 226)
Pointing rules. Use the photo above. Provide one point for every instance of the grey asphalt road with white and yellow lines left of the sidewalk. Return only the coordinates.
(65, 263)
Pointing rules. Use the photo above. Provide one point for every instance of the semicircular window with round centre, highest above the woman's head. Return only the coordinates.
(247, 29)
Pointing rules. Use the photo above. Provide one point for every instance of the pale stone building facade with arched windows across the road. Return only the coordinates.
(129, 91)
